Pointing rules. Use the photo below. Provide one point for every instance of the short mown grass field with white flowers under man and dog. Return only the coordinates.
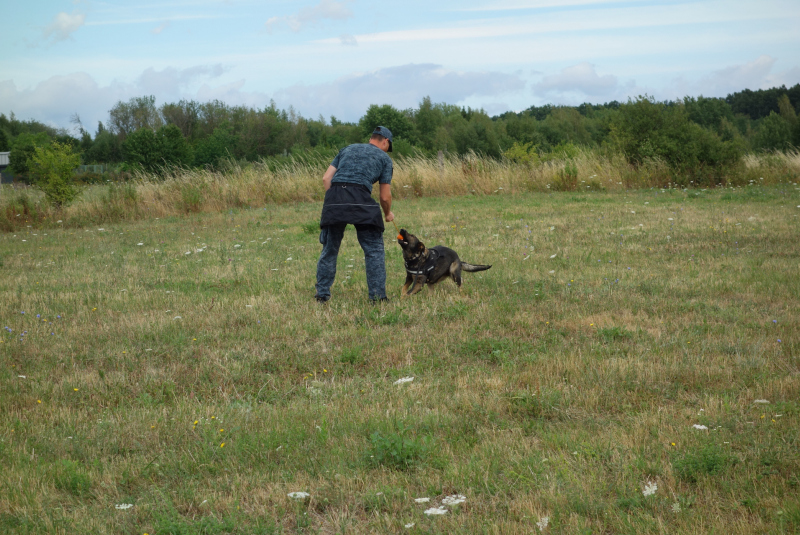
(630, 364)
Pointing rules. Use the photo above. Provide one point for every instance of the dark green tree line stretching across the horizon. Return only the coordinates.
(691, 134)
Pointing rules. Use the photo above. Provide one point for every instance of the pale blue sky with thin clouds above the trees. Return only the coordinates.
(334, 58)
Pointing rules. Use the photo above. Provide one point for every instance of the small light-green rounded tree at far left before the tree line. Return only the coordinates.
(54, 167)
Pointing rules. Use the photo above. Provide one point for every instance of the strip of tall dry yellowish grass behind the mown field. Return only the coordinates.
(179, 191)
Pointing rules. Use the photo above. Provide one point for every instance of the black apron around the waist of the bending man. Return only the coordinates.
(347, 203)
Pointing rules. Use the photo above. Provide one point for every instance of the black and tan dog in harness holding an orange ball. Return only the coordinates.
(429, 266)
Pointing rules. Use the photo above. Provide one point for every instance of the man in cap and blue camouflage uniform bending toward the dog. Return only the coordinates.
(348, 186)
